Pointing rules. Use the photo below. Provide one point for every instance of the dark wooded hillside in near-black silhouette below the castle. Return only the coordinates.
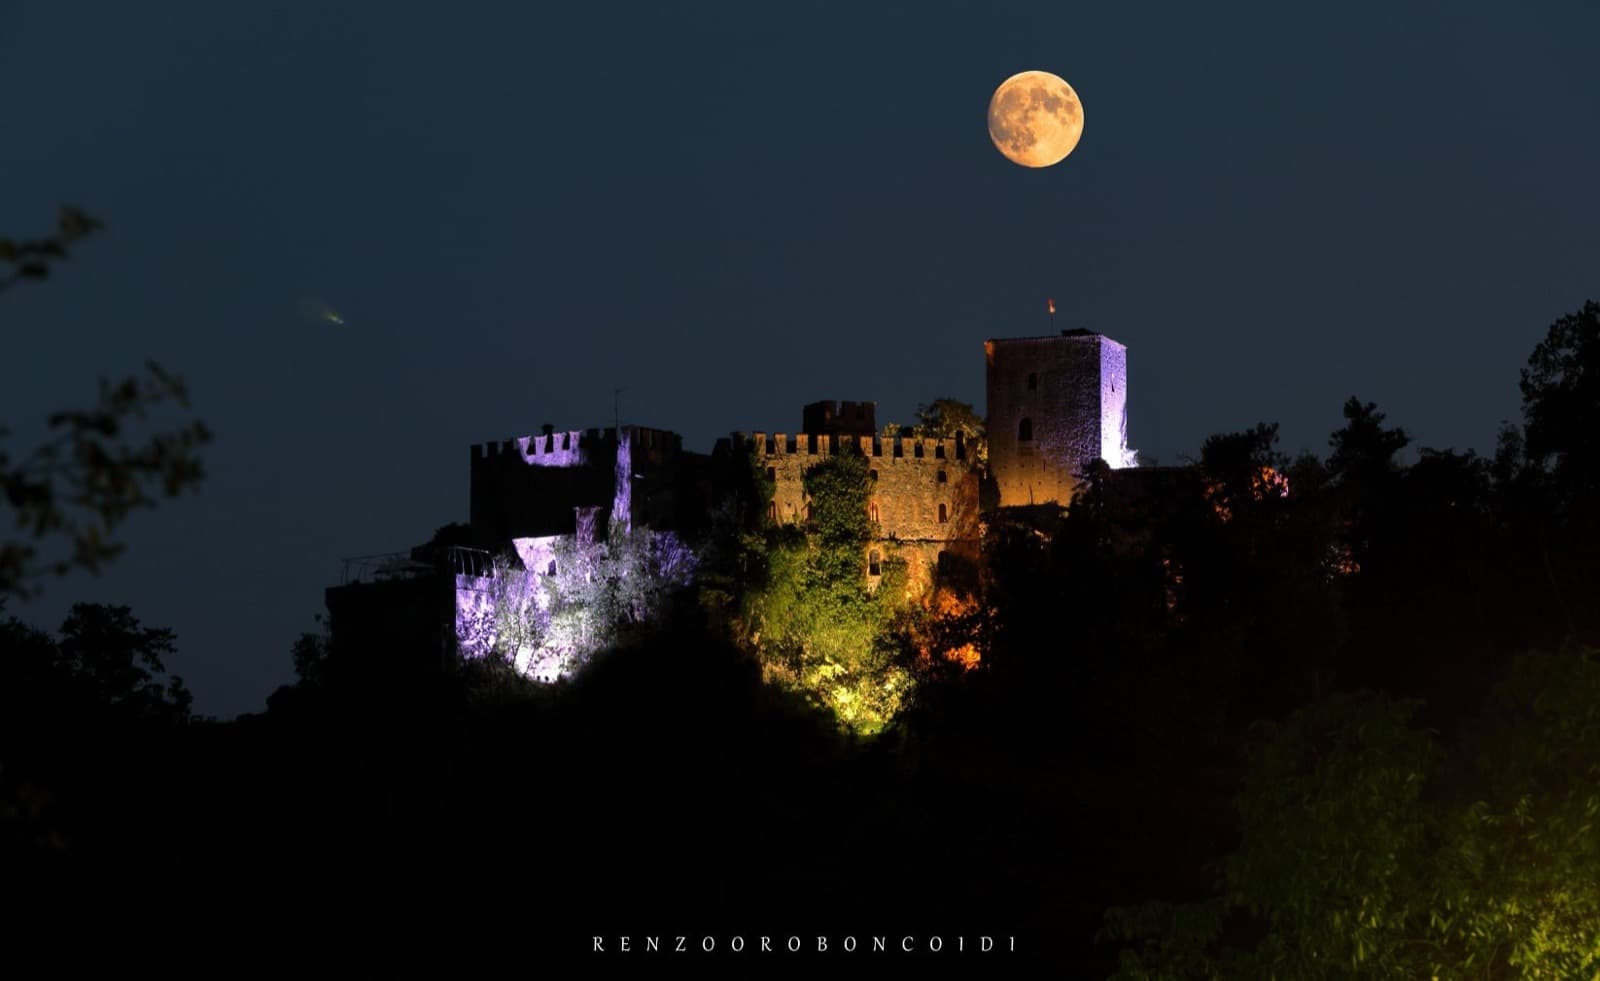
(1207, 700)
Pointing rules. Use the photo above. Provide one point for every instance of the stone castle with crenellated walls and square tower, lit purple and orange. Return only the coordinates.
(1055, 406)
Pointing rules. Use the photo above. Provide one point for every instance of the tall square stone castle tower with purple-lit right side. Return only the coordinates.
(1055, 404)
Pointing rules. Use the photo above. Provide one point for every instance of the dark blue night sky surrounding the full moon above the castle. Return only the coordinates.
(735, 209)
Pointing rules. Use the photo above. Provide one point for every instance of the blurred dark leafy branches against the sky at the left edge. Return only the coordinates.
(90, 474)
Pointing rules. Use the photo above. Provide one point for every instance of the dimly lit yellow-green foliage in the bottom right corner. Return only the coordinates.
(1369, 851)
